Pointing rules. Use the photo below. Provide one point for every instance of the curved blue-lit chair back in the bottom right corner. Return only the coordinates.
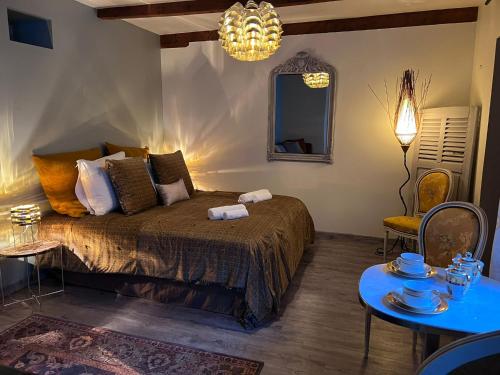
(477, 354)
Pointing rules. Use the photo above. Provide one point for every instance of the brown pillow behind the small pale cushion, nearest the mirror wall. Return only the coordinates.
(169, 168)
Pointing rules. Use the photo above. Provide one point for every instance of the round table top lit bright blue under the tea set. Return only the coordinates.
(477, 312)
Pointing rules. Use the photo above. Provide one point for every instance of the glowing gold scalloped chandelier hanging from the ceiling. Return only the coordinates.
(250, 33)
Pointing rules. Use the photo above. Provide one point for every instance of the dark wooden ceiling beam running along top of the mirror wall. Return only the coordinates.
(388, 21)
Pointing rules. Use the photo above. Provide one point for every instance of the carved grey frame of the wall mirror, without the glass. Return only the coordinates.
(301, 63)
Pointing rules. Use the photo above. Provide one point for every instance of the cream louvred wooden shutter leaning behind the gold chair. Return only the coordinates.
(447, 139)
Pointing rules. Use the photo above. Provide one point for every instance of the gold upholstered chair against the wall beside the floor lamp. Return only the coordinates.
(433, 187)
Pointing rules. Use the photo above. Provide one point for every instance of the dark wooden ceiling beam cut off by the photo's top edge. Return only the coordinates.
(183, 8)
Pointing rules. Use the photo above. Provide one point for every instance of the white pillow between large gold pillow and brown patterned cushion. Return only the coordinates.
(93, 187)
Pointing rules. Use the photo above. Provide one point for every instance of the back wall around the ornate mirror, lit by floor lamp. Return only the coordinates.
(216, 110)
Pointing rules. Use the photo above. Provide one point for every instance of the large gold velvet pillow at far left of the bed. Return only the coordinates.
(58, 175)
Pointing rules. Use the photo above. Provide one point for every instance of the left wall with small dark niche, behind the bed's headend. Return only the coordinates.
(102, 81)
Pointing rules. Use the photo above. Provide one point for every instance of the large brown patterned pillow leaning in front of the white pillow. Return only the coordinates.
(132, 184)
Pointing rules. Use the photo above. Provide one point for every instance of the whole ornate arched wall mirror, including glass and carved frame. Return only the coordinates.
(301, 110)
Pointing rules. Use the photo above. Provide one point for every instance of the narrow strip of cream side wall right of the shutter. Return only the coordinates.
(487, 32)
